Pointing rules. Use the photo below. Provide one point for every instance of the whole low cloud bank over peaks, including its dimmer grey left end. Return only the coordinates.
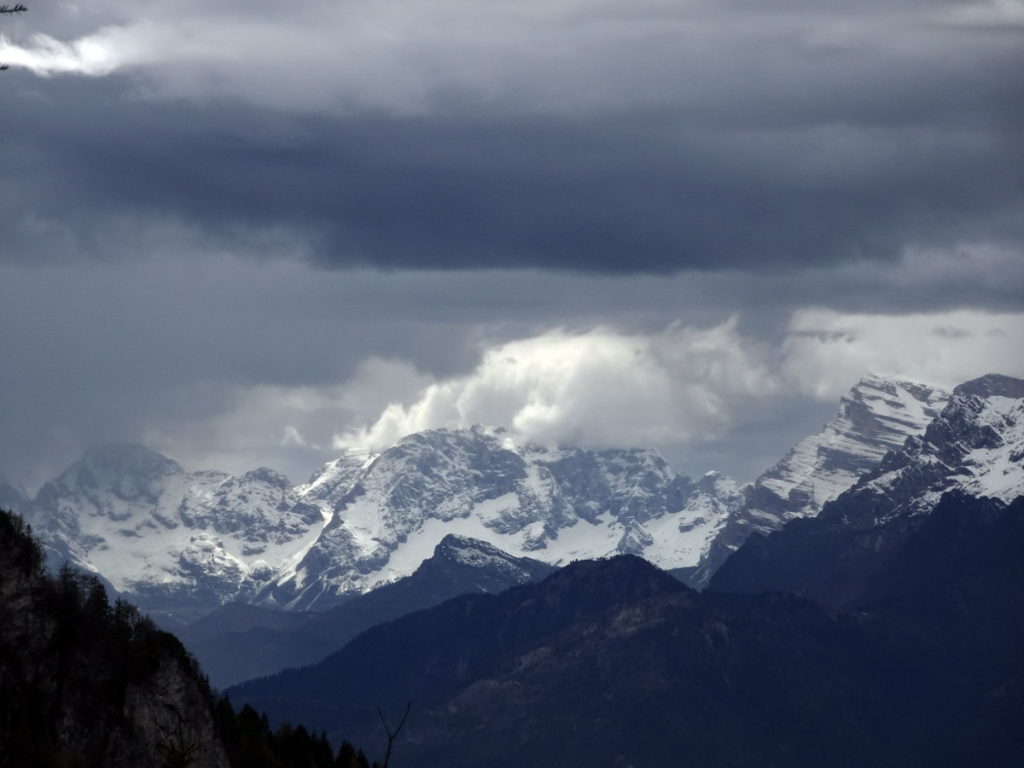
(682, 390)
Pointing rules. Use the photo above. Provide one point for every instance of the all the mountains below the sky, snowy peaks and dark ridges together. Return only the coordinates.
(869, 607)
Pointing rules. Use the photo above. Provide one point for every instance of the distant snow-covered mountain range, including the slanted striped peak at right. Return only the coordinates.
(182, 544)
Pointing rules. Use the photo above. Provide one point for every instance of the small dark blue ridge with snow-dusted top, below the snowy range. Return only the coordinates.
(276, 641)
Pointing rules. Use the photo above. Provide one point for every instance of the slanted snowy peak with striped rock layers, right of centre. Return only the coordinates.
(875, 417)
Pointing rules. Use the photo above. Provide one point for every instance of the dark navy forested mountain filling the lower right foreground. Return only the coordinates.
(613, 662)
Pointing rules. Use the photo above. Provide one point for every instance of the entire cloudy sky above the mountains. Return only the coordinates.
(254, 234)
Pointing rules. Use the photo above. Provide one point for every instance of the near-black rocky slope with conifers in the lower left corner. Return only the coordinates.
(89, 685)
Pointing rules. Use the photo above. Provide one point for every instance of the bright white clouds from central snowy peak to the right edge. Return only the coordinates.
(687, 385)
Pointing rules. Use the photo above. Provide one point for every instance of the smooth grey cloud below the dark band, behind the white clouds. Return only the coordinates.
(117, 351)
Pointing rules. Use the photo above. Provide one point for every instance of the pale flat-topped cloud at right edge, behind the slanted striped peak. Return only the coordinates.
(826, 352)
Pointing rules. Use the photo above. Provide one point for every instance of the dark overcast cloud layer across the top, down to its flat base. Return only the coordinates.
(592, 135)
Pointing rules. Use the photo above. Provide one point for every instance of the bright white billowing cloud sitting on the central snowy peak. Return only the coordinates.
(595, 389)
